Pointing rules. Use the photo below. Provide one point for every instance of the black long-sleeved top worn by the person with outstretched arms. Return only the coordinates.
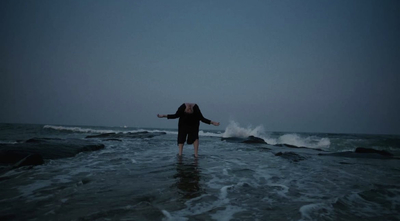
(189, 119)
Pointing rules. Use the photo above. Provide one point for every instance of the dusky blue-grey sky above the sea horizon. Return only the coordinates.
(298, 66)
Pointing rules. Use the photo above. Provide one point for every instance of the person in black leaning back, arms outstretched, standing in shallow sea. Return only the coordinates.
(189, 115)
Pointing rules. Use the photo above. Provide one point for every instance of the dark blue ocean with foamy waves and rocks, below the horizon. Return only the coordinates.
(242, 173)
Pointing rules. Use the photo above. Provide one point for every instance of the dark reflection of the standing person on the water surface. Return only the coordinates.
(188, 177)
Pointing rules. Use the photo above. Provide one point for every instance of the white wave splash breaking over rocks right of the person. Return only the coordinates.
(235, 130)
